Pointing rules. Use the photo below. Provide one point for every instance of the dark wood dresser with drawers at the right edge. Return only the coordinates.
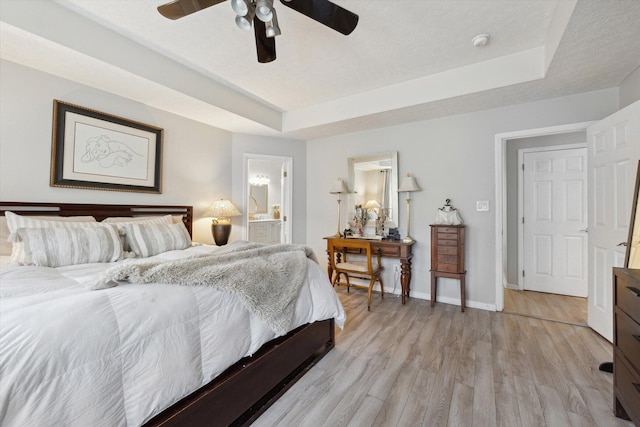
(626, 344)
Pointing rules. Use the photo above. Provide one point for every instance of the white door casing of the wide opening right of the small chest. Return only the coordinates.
(501, 140)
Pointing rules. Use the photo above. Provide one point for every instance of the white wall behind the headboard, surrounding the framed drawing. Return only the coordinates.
(196, 156)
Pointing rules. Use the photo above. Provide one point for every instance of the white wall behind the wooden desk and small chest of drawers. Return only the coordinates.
(451, 157)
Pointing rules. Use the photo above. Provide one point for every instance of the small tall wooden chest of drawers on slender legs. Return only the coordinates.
(447, 258)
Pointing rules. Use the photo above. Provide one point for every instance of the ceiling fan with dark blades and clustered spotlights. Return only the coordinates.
(262, 16)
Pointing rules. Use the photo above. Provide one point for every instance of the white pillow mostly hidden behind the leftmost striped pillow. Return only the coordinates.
(15, 221)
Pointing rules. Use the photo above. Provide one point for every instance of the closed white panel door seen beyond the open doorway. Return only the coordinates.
(554, 229)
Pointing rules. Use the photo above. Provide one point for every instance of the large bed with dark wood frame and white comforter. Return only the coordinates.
(124, 378)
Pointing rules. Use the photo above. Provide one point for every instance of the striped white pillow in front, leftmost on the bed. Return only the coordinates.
(57, 247)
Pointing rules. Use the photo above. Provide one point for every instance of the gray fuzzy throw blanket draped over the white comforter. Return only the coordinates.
(266, 278)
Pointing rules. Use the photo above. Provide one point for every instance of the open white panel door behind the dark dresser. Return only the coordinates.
(613, 153)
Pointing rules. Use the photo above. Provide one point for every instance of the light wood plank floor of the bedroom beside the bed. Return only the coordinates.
(414, 365)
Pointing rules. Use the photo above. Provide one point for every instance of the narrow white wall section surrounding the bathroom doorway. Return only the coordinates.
(297, 150)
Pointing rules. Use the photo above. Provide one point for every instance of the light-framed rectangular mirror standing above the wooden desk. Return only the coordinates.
(374, 178)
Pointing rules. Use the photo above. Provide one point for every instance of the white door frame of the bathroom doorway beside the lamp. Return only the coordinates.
(286, 210)
